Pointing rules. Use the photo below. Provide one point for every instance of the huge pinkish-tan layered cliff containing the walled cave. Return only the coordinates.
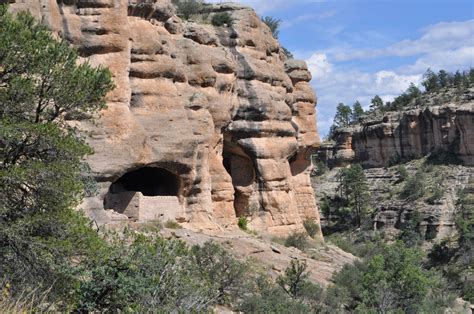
(213, 116)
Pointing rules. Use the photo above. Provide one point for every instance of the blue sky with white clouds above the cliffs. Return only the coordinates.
(356, 49)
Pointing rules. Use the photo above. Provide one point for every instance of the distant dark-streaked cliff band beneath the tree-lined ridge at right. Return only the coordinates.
(445, 122)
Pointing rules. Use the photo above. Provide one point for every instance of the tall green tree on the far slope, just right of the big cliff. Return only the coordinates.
(354, 189)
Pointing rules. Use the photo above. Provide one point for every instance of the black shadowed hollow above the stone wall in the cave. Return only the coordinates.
(150, 181)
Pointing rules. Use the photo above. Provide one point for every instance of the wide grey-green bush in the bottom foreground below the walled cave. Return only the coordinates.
(154, 273)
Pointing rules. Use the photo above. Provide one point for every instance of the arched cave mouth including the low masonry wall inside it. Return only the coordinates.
(146, 193)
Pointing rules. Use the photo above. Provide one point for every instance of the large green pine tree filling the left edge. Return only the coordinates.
(42, 86)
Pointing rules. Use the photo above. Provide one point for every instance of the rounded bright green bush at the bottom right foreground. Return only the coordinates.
(390, 281)
